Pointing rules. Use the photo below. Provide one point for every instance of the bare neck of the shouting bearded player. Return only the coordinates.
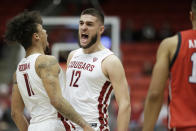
(94, 48)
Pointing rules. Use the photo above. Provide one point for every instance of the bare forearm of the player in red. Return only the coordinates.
(151, 112)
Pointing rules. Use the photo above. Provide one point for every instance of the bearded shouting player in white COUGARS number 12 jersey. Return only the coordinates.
(93, 72)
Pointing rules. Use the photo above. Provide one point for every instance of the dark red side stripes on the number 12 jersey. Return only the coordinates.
(100, 105)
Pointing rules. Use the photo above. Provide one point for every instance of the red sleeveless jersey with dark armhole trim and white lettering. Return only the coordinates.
(182, 91)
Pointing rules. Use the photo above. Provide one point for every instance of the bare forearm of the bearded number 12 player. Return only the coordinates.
(124, 114)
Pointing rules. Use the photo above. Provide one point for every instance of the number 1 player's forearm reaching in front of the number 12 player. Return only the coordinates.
(68, 112)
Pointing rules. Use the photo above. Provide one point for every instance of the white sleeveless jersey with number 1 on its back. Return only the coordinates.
(44, 116)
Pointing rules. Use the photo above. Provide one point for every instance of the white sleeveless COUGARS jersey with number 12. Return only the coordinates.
(88, 89)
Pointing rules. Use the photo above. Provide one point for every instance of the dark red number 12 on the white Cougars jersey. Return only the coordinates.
(74, 78)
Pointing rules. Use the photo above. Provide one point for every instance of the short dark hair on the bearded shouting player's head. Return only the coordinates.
(94, 12)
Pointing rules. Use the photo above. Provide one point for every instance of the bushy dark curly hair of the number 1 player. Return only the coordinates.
(21, 28)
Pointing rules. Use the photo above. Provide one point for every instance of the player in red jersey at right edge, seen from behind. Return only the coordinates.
(176, 59)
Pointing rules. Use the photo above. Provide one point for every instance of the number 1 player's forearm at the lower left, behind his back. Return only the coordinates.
(20, 121)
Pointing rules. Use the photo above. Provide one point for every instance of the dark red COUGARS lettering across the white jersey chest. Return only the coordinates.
(81, 65)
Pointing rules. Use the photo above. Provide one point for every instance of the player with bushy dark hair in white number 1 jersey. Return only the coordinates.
(38, 80)
